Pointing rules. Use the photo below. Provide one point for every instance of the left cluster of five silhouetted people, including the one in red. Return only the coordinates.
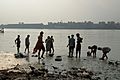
(39, 45)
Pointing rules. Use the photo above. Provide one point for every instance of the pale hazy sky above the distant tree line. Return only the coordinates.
(35, 11)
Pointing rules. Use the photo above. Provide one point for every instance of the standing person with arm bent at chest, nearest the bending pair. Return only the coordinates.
(78, 46)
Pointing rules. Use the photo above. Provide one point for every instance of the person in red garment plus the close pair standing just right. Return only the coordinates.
(40, 46)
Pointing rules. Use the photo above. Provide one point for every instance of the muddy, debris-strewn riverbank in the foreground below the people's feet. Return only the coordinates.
(85, 68)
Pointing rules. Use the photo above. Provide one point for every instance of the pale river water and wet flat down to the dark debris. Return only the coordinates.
(101, 38)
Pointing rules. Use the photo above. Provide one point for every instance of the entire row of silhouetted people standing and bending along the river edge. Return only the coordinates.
(50, 47)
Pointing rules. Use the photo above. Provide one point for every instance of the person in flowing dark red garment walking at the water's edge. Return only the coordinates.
(39, 45)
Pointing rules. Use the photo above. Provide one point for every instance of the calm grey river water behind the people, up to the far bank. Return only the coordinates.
(101, 38)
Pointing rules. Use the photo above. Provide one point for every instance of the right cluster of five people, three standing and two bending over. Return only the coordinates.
(93, 49)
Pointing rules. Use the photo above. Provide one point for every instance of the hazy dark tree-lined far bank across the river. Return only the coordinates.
(65, 25)
